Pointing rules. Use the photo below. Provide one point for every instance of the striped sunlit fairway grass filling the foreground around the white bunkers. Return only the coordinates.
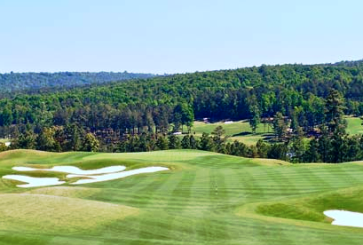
(205, 198)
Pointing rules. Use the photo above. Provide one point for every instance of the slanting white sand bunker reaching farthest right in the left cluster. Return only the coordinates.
(113, 176)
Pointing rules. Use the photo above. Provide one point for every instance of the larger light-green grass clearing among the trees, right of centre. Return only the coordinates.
(239, 130)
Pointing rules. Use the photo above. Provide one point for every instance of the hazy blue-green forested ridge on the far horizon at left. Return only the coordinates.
(31, 82)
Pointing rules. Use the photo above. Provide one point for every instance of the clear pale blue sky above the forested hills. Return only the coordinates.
(160, 36)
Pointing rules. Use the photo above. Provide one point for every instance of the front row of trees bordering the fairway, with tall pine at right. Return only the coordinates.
(331, 144)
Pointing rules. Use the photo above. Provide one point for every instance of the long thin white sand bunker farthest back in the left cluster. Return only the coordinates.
(74, 170)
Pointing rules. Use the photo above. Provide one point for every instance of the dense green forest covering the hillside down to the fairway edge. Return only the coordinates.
(300, 101)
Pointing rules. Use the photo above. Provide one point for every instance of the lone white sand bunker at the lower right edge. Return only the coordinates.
(345, 218)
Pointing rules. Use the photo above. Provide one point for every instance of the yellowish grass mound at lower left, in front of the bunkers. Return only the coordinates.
(45, 213)
